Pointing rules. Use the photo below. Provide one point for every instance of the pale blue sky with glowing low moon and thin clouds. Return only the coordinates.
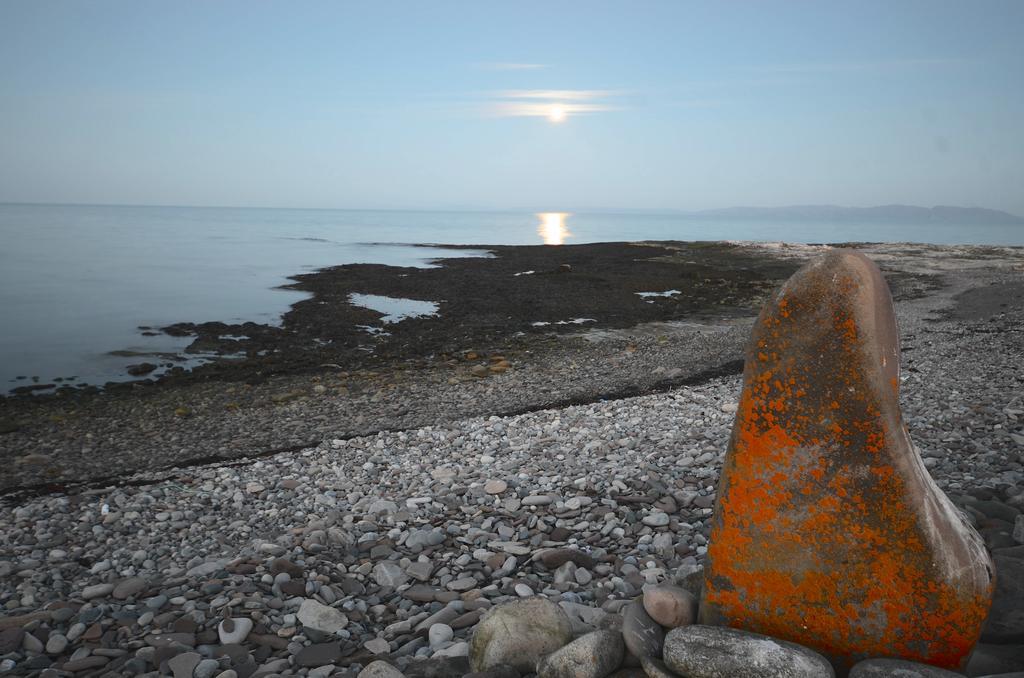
(518, 105)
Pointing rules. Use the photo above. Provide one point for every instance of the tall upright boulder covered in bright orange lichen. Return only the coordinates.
(828, 530)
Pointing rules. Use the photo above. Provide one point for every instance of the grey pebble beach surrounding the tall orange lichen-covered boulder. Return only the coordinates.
(391, 546)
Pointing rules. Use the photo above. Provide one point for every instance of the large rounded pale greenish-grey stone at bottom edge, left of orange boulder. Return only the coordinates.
(520, 633)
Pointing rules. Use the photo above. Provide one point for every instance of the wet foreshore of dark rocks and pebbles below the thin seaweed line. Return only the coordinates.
(483, 355)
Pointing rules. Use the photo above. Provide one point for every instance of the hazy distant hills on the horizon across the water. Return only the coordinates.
(941, 215)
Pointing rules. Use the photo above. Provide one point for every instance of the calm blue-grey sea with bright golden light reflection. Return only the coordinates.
(76, 282)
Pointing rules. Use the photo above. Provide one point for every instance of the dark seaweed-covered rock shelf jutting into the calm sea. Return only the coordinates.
(482, 302)
